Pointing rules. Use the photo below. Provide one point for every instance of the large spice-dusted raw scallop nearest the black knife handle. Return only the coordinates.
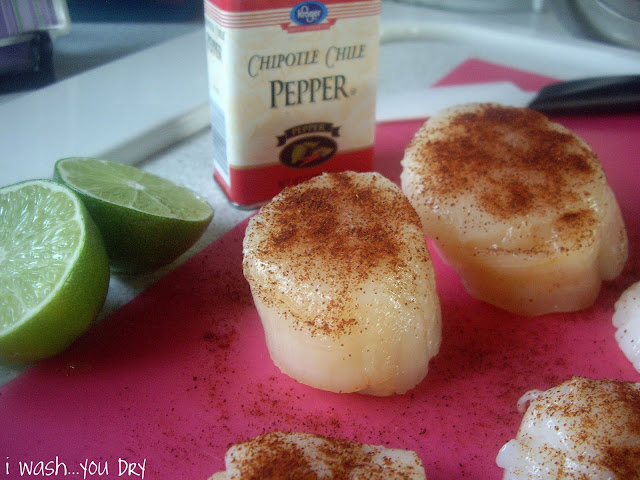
(518, 205)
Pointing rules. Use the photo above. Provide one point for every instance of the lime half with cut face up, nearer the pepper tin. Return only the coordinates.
(146, 221)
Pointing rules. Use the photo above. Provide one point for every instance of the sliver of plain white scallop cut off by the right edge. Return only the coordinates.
(626, 319)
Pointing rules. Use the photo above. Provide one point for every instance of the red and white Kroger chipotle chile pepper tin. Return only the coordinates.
(292, 88)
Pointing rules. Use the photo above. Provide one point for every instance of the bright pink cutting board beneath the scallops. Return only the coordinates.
(181, 372)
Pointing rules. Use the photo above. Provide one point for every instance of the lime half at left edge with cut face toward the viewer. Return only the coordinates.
(54, 271)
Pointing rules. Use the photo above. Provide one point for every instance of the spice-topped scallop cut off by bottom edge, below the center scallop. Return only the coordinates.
(300, 456)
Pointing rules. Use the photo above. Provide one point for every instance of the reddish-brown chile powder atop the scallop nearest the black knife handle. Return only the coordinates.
(515, 160)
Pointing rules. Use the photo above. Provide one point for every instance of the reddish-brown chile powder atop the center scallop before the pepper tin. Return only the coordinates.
(338, 230)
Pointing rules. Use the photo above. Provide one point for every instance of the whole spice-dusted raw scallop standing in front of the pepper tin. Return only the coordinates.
(344, 285)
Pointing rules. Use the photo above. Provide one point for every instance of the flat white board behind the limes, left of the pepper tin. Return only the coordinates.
(125, 110)
